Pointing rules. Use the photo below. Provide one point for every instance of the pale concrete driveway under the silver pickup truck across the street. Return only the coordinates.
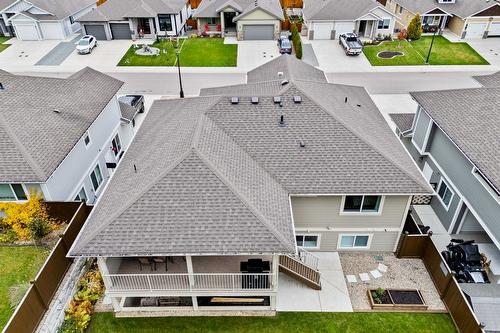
(331, 57)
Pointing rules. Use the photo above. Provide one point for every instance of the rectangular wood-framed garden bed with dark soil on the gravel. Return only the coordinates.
(396, 299)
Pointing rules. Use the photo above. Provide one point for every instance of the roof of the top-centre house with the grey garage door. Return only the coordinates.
(211, 8)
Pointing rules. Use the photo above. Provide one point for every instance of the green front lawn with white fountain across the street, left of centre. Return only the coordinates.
(195, 52)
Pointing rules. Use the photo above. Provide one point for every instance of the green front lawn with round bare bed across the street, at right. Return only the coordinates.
(415, 52)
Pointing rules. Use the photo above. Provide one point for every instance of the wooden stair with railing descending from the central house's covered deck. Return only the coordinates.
(302, 267)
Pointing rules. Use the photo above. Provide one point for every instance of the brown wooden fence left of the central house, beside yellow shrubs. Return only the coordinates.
(38, 297)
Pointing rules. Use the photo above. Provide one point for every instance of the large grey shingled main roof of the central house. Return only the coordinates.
(206, 176)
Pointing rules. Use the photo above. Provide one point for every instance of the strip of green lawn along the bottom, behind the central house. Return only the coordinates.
(285, 322)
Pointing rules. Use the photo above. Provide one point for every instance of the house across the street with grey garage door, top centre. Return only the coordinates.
(247, 19)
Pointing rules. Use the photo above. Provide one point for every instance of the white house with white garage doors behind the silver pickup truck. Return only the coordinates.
(327, 19)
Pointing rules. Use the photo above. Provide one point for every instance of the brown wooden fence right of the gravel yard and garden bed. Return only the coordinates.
(421, 246)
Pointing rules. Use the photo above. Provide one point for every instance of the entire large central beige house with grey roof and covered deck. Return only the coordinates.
(219, 192)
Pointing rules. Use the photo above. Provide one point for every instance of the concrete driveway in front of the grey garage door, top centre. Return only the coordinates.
(252, 54)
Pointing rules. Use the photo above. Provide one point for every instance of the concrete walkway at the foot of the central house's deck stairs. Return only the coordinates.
(333, 296)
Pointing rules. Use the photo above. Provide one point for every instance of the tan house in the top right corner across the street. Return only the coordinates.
(465, 18)
